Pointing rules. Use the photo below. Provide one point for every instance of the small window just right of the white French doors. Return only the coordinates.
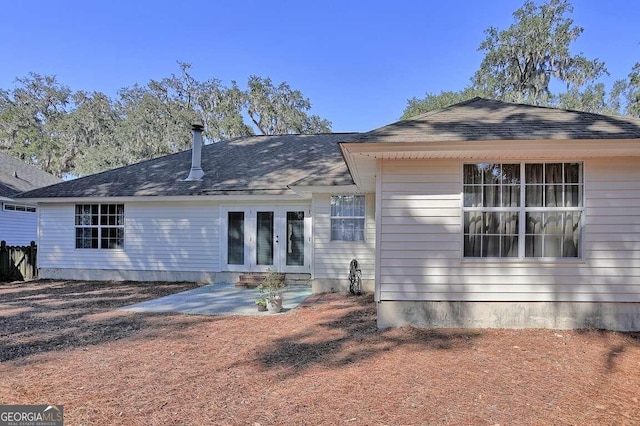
(347, 217)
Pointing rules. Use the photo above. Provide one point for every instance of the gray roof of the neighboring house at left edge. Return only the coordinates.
(16, 176)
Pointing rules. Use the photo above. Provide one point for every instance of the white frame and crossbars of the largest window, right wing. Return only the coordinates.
(522, 211)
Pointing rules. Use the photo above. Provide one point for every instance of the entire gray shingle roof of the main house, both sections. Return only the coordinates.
(270, 164)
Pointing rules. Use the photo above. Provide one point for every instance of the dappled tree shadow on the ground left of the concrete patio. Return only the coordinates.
(44, 316)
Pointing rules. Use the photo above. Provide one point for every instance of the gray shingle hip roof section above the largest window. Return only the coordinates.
(483, 119)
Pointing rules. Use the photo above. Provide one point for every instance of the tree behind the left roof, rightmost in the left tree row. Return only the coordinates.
(280, 110)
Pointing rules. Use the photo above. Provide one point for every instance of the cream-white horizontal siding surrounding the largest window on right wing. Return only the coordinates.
(420, 242)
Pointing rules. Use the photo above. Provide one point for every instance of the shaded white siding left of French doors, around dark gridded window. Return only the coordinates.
(158, 237)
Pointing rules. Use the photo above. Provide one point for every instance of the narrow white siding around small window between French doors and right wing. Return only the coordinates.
(331, 258)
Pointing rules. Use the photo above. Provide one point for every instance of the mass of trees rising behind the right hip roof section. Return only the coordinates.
(522, 61)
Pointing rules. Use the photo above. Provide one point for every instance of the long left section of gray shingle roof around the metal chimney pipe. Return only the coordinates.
(244, 165)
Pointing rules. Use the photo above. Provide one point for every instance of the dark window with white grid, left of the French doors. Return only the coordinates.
(99, 226)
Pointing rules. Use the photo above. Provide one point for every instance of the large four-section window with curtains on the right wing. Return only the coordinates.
(529, 210)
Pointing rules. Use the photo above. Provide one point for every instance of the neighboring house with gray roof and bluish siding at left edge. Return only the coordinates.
(19, 219)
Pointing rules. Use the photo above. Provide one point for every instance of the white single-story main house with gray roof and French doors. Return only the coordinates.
(482, 214)
